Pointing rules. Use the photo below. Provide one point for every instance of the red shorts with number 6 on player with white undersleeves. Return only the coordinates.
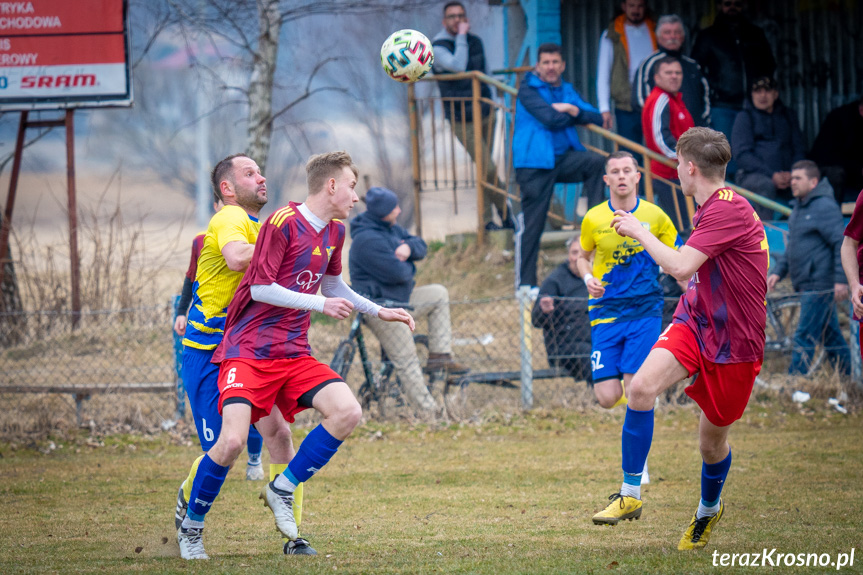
(267, 382)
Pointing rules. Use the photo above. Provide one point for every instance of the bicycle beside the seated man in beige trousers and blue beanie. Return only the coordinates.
(380, 386)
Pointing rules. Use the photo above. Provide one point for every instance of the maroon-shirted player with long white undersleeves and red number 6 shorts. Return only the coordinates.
(267, 371)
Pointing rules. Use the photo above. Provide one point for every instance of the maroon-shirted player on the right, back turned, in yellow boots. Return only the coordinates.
(717, 331)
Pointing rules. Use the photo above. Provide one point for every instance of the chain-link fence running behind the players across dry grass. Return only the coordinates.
(115, 370)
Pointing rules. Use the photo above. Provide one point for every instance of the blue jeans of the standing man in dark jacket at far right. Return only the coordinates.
(819, 324)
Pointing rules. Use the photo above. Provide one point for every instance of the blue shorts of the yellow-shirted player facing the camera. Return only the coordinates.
(622, 347)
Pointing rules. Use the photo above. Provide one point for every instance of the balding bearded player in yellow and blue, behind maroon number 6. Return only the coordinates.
(226, 252)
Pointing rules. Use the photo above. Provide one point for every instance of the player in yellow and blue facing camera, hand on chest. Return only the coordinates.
(625, 304)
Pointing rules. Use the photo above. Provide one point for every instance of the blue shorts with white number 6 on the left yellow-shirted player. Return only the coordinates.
(200, 377)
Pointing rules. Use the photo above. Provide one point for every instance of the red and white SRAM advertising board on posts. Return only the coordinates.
(58, 54)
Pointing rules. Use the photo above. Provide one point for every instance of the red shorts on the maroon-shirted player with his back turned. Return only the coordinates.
(721, 390)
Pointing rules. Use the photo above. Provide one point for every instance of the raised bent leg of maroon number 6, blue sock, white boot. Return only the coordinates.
(341, 414)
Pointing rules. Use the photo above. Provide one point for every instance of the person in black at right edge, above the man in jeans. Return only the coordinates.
(838, 150)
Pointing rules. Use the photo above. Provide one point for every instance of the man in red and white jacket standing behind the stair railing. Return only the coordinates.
(664, 119)
